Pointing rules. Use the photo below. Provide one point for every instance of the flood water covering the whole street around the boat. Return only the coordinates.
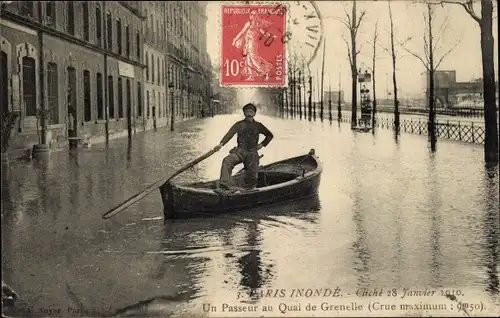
(387, 216)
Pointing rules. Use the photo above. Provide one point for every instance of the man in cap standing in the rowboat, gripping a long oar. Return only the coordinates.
(248, 131)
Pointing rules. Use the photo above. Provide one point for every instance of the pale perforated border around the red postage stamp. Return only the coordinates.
(285, 45)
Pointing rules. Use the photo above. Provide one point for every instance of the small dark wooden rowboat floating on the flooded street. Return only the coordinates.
(278, 182)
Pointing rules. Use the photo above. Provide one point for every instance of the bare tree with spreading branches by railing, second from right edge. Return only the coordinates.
(431, 64)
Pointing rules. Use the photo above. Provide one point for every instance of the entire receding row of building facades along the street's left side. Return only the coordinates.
(102, 68)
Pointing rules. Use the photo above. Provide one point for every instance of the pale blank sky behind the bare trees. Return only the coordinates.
(460, 31)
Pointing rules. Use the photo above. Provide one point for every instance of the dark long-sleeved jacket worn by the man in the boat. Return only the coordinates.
(248, 134)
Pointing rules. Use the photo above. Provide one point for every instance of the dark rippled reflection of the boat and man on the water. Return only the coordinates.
(239, 238)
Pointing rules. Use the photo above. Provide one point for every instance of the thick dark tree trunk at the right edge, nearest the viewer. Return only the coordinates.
(487, 50)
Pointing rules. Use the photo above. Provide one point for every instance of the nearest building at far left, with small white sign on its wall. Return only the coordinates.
(79, 60)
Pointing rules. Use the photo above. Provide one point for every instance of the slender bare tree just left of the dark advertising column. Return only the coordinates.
(353, 22)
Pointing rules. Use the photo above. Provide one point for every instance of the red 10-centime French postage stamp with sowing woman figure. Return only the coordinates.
(253, 46)
